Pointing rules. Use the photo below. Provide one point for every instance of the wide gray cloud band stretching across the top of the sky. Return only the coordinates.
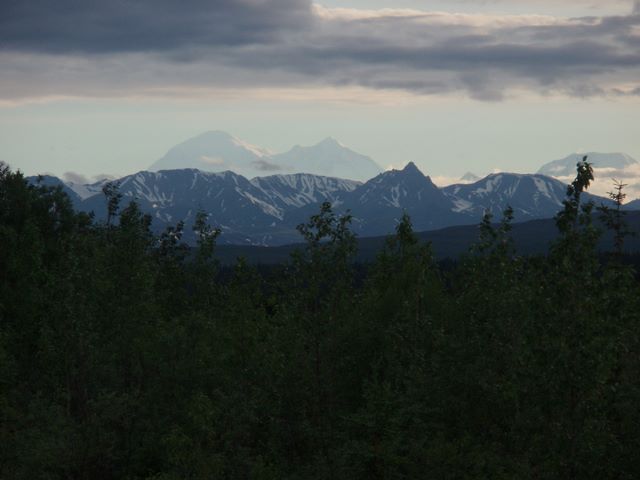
(162, 48)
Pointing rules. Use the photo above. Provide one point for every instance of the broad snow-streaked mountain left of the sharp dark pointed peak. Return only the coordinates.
(247, 211)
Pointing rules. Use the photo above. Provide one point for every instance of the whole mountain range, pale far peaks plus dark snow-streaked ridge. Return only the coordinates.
(235, 184)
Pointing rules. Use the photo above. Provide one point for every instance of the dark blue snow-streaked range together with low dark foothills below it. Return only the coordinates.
(258, 216)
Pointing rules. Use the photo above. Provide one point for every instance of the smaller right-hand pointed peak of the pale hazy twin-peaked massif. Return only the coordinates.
(329, 158)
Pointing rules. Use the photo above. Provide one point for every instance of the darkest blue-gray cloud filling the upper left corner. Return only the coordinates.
(99, 26)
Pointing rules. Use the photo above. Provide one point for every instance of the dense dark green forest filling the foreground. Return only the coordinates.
(129, 355)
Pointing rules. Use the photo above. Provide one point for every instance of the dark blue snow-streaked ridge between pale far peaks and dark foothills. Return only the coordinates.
(266, 210)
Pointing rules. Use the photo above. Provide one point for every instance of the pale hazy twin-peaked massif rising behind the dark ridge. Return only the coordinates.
(217, 151)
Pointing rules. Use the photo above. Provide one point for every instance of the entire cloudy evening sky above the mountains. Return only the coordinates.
(89, 87)
